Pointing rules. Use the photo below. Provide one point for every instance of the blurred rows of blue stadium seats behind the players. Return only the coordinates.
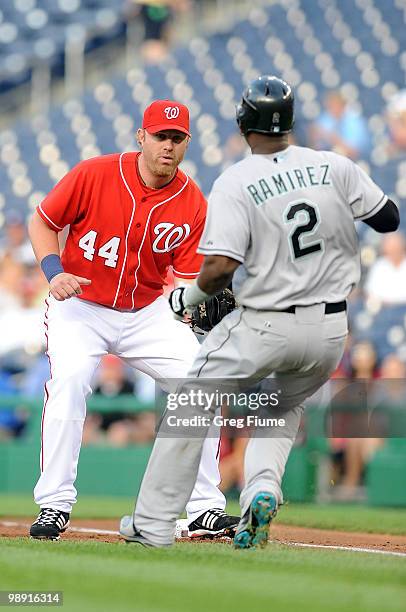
(339, 44)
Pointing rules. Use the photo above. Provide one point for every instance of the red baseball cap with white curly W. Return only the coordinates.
(166, 115)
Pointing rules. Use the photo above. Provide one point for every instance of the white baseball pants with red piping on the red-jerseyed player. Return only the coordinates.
(78, 334)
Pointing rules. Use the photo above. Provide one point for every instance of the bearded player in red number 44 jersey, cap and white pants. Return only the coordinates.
(130, 217)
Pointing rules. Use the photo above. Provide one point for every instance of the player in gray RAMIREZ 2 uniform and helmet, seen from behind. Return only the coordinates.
(283, 220)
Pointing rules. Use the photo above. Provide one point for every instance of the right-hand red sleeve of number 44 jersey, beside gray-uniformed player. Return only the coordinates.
(186, 261)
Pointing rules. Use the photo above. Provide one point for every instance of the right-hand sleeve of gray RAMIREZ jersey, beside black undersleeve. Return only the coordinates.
(364, 196)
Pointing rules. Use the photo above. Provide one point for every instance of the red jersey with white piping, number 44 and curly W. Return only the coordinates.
(124, 235)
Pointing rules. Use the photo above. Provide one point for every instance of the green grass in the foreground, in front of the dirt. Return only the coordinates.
(194, 578)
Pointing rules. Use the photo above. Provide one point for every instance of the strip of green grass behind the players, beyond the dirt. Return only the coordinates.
(344, 517)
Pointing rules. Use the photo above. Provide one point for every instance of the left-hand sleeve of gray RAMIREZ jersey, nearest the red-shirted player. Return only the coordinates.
(227, 229)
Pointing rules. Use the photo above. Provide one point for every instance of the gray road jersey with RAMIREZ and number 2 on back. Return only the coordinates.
(289, 219)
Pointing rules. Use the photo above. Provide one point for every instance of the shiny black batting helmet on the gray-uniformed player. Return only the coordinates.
(266, 107)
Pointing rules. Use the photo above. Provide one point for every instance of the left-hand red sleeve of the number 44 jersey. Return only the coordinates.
(61, 205)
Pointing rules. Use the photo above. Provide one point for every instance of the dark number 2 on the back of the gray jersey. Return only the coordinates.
(308, 226)
